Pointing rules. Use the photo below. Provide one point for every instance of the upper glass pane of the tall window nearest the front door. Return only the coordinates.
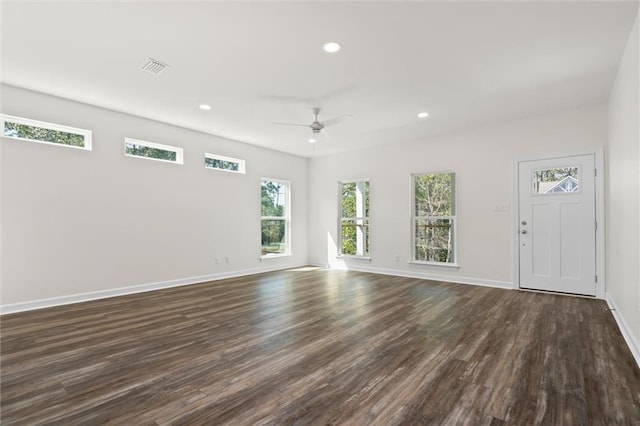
(434, 194)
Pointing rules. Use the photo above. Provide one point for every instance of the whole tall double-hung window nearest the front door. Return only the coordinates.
(434, 218)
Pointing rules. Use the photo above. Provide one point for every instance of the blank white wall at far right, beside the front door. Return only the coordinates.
(623, 213)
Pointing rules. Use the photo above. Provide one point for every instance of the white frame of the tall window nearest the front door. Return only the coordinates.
(452, 218)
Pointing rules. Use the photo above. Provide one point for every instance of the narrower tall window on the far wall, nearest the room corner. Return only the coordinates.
(354, 218)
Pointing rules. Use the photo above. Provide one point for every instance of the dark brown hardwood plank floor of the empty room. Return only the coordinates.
(320, 347)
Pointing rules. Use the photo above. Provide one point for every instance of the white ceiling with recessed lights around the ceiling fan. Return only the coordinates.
(466, 63)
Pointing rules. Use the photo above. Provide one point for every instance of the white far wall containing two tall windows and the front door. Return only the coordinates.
(483, 160)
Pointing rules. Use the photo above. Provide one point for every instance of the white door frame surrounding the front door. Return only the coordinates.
(600, 215)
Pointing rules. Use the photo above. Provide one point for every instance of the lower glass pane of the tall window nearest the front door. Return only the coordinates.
(434, 240)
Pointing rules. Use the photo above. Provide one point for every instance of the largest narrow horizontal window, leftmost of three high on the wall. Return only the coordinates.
(49, 133)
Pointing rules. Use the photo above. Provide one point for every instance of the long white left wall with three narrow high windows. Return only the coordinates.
(76, 221)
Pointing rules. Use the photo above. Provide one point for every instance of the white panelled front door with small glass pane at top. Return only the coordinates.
(557, 224)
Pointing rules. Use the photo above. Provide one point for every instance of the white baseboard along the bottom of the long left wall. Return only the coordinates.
(103, 294)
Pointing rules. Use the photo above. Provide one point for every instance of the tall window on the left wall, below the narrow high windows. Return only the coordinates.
(275, 218)
